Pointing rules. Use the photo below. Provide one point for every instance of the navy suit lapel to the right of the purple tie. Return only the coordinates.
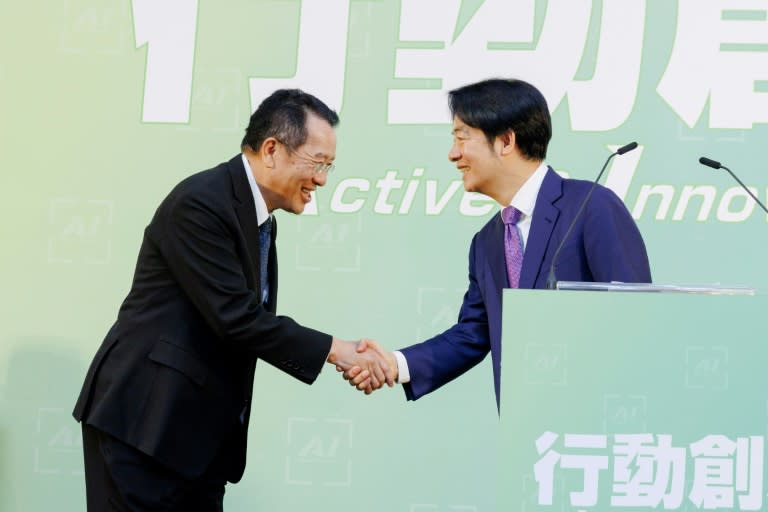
(545, 216)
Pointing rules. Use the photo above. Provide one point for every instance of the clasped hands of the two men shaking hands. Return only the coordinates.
(365, 364)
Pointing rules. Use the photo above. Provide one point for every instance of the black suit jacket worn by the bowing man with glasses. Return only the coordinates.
(174, 375)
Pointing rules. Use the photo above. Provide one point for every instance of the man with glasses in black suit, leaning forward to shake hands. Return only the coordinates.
(166, 402)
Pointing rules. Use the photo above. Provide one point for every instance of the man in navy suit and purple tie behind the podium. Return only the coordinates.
(501, 130)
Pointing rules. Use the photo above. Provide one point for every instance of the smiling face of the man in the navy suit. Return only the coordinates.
(478, 161)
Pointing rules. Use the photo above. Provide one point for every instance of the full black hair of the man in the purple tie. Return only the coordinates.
(497, 105)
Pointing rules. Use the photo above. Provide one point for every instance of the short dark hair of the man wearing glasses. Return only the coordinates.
(283, 115)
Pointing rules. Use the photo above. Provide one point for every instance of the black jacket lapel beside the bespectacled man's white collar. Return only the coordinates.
(245, 209)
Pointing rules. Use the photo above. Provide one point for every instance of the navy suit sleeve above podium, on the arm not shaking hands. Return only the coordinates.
(614, 246)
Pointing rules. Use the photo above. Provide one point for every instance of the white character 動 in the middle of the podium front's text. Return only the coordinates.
(644, 474)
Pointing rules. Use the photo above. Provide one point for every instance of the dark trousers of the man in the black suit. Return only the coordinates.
(120, 478)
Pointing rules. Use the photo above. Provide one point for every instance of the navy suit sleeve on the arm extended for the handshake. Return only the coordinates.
(441, 359)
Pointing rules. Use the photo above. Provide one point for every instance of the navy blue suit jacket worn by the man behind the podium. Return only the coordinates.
(605, 245)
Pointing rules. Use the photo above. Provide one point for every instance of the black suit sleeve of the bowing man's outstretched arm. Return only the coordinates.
(199, 248)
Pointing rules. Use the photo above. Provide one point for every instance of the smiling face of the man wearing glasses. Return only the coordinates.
(295, 174)
